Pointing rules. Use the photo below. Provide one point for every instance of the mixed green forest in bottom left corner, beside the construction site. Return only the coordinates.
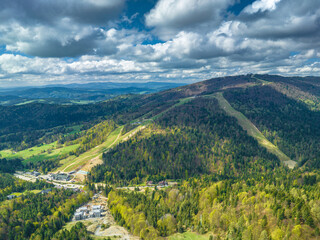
(33, 215)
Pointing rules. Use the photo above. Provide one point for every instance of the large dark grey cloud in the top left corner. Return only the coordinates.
(56, 28)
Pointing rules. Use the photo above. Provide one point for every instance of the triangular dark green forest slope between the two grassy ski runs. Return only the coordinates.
(192, 139)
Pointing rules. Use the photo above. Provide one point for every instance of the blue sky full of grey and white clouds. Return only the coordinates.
(67, 41)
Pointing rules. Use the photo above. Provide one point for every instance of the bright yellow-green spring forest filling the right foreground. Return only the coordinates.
(278, 204)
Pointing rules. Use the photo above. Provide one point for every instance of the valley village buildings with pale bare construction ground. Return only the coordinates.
(95, 214)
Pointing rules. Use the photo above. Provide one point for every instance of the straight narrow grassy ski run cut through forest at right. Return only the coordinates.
(253, 131)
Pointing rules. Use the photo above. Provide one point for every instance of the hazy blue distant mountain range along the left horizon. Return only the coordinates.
(79, 93)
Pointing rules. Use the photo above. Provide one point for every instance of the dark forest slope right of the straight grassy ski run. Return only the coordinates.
(289, 124)
